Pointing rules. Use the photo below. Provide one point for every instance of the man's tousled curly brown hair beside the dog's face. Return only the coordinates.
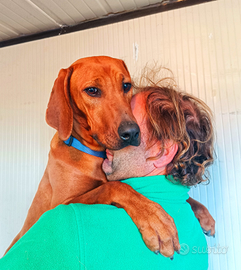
(185, 120)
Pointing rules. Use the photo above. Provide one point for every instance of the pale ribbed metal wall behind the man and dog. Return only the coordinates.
(201, 44)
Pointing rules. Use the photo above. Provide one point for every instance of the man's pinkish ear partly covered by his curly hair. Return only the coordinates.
(168, 155)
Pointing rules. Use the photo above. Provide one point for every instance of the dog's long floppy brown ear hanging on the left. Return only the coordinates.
(59, 114)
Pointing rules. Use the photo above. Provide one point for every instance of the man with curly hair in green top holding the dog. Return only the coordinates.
(176, 147)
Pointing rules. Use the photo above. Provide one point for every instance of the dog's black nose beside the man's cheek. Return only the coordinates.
(129, 133)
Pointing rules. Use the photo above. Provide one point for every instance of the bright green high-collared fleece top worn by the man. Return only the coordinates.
(79, 236)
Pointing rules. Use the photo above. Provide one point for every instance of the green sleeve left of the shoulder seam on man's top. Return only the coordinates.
(37, 249)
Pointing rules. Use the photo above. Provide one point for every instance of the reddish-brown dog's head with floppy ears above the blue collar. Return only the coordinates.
(91, 99)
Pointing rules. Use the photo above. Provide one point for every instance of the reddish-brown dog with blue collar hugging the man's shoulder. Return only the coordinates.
(91, 102)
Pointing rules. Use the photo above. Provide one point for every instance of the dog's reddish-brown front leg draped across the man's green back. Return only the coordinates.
(156, 226)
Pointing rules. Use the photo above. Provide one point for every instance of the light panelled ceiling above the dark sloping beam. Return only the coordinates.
(23, 18)
